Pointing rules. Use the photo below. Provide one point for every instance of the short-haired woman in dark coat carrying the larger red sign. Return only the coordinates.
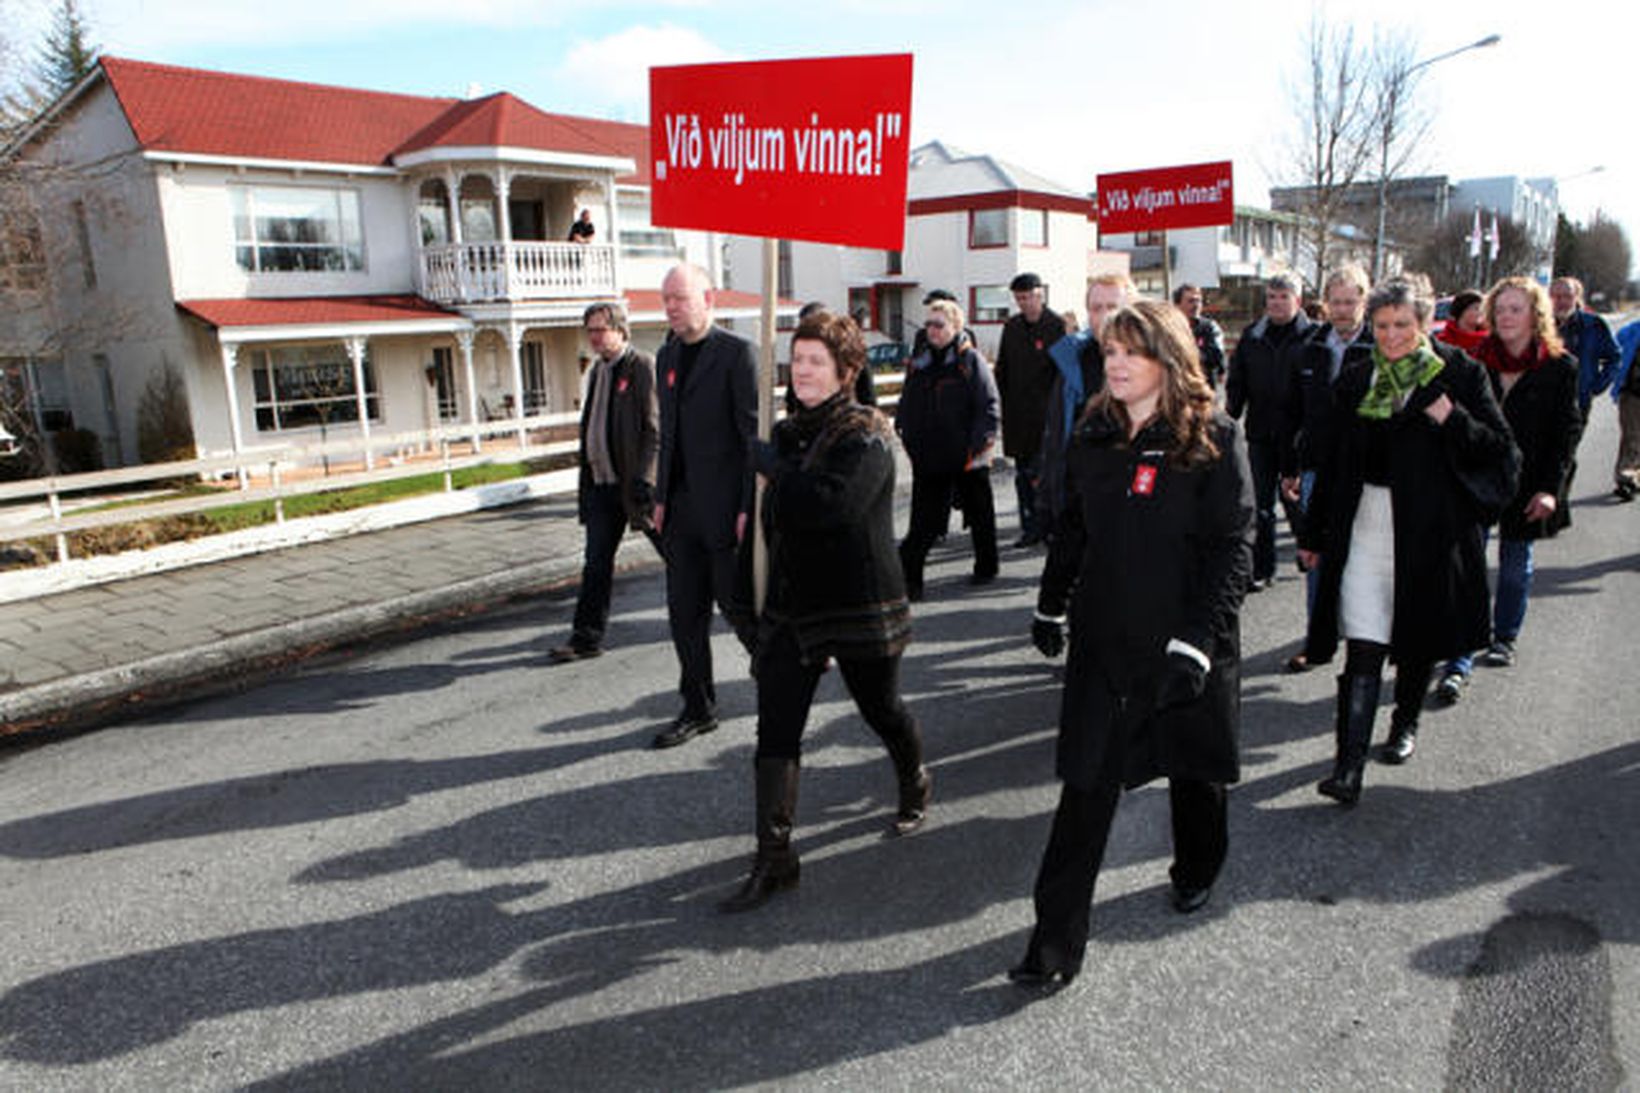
(834, 592)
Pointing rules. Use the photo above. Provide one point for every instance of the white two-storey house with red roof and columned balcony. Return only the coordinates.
(309, 255)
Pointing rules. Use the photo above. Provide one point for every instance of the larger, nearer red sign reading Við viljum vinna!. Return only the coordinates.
(796, 150)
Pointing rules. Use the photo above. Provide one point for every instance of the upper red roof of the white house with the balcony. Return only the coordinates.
(222, 114)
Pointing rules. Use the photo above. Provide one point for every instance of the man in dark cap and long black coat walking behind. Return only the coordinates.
(1026, 380)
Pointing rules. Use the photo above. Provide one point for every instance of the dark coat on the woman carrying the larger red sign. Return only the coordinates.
(829, 521)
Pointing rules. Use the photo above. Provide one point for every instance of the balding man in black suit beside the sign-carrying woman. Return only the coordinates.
(709, 418)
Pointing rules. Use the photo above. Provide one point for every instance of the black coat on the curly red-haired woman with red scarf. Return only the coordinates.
(1542, 414)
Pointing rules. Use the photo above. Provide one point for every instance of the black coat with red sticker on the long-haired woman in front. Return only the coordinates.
(1150, 552)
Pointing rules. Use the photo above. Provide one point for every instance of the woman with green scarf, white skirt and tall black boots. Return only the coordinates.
(1416, 465)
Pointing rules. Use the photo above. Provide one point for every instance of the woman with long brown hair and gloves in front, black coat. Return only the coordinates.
(1150, 565)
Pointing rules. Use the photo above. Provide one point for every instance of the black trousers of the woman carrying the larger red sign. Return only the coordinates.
(786, 690)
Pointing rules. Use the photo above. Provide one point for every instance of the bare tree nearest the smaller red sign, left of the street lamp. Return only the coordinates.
(1332, 145)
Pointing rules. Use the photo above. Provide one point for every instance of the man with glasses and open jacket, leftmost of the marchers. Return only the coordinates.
(621, 439)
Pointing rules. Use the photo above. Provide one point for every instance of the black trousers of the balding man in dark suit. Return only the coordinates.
(698, 574)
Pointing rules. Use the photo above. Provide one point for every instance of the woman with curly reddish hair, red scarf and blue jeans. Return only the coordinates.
(1536, 382)
